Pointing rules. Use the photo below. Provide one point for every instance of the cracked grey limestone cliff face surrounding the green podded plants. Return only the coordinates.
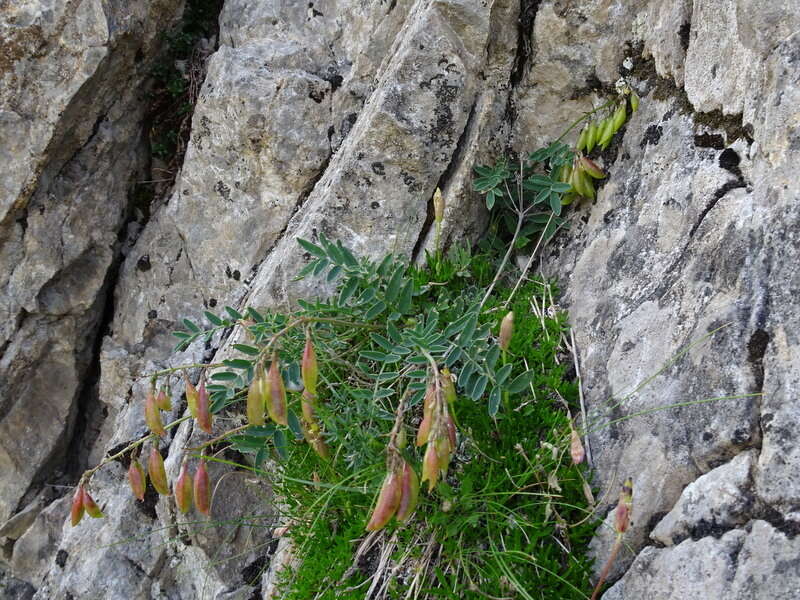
(342, 117)
